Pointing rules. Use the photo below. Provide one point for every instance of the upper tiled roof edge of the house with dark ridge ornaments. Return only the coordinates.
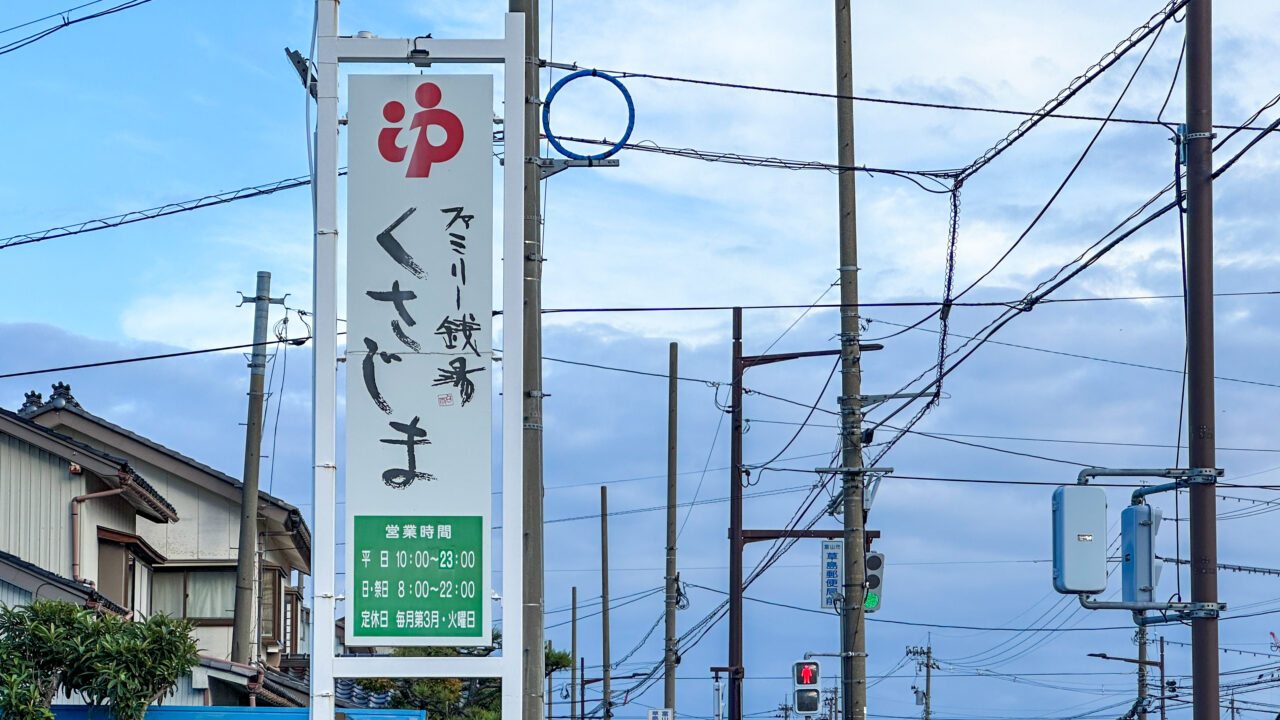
(62, 402)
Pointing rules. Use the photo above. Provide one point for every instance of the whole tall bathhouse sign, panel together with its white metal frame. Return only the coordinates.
(419, 425)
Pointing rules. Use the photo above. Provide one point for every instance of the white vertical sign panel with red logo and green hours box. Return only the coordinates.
(419, 361)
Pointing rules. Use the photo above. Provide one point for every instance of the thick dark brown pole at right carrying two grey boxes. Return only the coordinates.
(1200, 347)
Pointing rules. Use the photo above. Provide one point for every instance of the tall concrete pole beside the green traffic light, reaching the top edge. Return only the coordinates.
(853, 637)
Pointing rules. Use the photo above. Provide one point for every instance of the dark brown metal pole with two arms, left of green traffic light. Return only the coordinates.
(735, 528)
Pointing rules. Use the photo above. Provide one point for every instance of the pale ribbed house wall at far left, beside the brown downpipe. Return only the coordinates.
(35, 517)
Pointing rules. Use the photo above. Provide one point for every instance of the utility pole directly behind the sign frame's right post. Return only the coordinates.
(522, 151)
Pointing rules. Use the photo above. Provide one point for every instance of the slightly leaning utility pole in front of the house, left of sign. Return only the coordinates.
(246, 564)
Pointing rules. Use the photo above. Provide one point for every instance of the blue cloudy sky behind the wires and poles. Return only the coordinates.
(177, 101)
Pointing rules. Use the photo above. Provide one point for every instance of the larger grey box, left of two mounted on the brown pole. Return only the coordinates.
(1080, 540)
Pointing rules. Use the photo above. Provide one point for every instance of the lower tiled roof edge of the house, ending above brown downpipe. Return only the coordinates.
(115, 471)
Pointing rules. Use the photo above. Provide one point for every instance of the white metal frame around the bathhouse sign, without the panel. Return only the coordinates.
(326, 667)
